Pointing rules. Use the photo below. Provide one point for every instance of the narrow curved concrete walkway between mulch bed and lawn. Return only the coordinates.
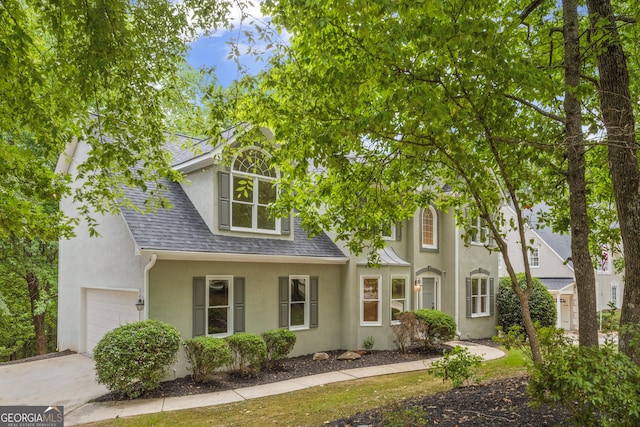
(91, 412)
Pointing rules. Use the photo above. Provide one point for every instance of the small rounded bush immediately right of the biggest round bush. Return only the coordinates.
(206, 355)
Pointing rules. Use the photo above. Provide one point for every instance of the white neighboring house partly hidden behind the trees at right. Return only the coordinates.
(549, 258)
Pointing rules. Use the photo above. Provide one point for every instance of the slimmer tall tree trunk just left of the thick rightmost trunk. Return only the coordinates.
(583, 267)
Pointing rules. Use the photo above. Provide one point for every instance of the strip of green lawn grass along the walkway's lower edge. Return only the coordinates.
(314, 406)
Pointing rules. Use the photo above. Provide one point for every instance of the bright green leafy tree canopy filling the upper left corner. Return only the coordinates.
(97, 71)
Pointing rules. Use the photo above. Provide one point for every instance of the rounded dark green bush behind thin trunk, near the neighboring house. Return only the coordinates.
(541, 304)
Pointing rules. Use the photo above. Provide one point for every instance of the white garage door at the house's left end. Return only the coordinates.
(107, 309)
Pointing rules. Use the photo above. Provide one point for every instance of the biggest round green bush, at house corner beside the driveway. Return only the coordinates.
(133, 358)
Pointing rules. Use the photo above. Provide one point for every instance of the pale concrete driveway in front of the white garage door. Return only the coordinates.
(68, 381)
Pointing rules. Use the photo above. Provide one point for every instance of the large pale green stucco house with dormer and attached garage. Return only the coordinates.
(217, 264)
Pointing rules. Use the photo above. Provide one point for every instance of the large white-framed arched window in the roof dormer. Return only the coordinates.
(253, 188)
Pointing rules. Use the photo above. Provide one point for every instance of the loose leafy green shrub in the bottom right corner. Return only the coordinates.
(599, 386)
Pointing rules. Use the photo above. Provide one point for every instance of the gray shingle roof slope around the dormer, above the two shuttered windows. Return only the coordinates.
(181, 229)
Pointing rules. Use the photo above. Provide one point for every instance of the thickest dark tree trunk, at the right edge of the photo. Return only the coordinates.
(617, 114)
